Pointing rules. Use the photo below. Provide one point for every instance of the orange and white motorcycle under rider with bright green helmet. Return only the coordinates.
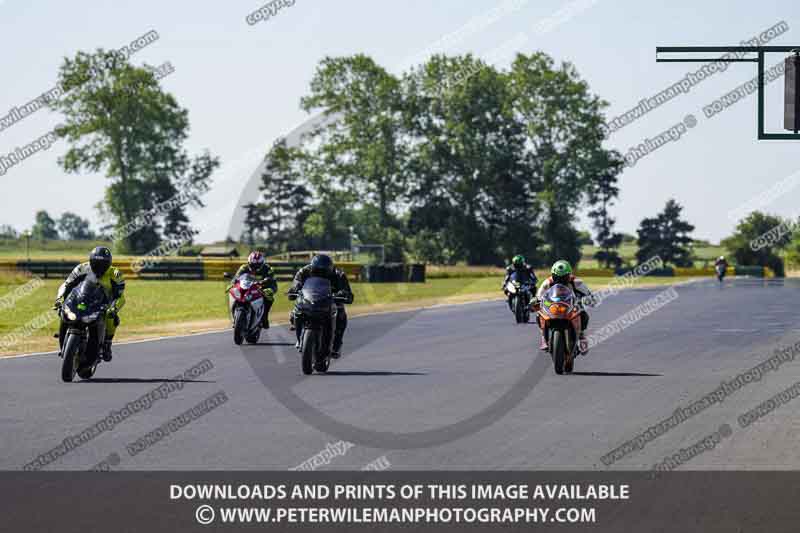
(560, 316)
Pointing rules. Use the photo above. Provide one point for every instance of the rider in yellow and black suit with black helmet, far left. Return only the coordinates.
(98, 269)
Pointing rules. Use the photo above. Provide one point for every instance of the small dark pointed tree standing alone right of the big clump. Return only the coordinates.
(667, 236)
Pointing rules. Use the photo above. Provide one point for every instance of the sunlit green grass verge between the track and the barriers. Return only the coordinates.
(159, 308)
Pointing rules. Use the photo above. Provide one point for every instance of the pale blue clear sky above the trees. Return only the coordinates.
(241, 84)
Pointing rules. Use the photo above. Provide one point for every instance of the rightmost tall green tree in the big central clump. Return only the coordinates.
(564, 135)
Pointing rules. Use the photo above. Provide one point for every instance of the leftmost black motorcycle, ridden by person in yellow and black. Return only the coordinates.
(84, 313)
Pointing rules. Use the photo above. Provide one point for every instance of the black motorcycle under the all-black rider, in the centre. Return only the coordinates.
(315, 318)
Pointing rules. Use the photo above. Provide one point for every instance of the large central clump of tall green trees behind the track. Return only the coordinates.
(452, 161)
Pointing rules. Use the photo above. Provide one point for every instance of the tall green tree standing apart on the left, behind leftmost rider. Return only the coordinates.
(119, 120)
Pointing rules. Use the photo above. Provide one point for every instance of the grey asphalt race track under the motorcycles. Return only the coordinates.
(442, 384)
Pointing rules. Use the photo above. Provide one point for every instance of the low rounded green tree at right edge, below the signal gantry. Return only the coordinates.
(747, 247)
